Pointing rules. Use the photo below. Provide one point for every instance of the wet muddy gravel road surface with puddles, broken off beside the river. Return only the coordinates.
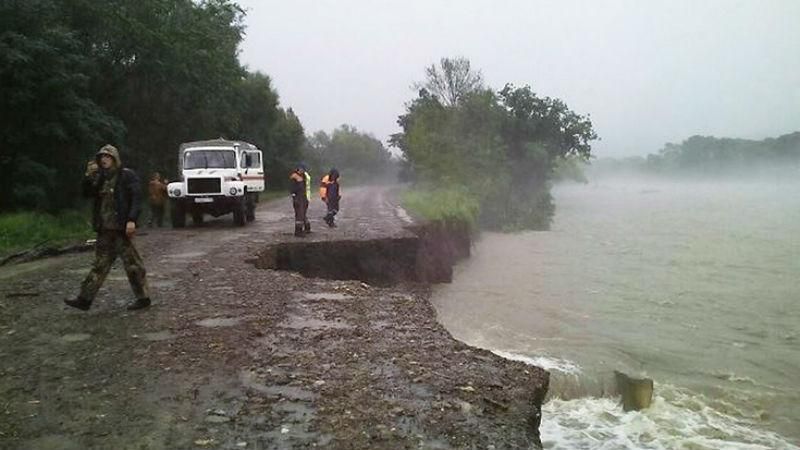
(232, 356)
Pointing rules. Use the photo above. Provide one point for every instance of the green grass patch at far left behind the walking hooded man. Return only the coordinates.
(27, 230)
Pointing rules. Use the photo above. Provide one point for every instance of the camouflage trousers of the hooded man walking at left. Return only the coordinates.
(110, 245)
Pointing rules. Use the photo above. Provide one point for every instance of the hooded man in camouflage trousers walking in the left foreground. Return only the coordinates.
(116, 194)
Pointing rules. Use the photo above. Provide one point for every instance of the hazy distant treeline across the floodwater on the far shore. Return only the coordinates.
(707, 156)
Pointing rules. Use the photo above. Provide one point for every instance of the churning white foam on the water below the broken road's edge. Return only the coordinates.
(677, 420)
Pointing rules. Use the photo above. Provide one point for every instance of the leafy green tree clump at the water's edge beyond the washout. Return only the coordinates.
(469, 144)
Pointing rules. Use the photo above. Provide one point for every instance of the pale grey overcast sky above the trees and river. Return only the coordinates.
(648, 72)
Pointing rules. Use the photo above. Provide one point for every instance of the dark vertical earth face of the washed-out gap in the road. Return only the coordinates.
(426, 256)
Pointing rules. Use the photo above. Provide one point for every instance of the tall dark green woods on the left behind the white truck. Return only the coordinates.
(144, 75)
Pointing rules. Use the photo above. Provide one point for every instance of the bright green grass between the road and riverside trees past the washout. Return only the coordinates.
(444, 205)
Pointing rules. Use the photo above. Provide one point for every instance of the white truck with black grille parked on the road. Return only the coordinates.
(217, 177)
